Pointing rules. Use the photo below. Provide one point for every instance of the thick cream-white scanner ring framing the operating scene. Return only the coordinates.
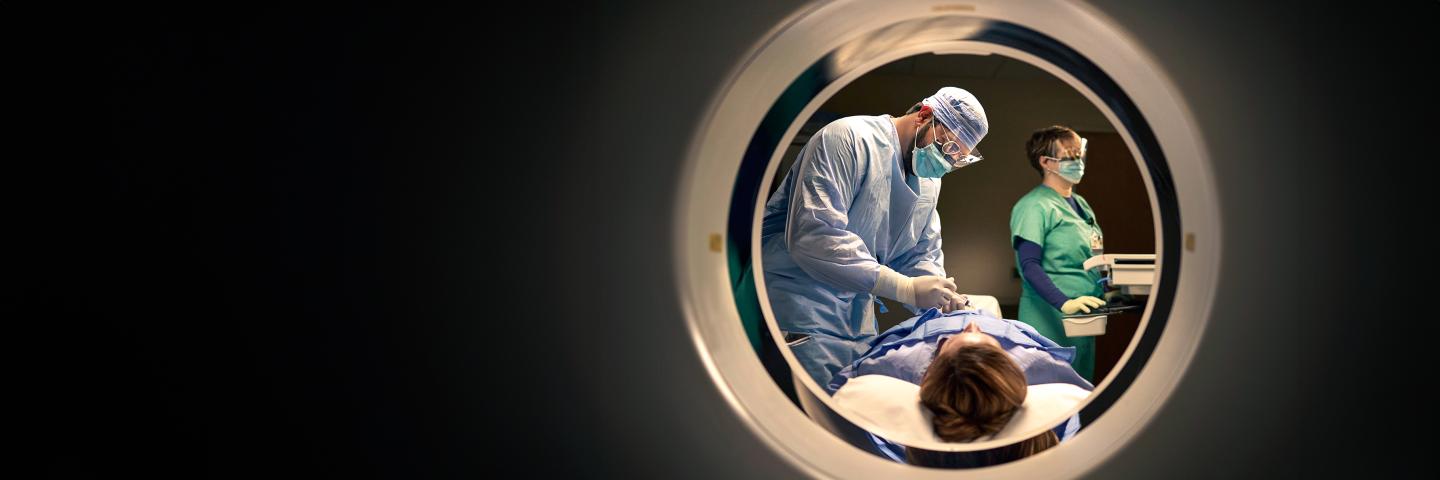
(810, 60)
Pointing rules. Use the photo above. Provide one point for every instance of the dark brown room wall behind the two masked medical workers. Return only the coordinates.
(976, 203)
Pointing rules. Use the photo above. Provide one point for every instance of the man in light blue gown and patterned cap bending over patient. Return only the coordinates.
(855, 220)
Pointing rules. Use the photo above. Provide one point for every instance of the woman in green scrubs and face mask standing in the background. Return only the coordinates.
(1055, 231)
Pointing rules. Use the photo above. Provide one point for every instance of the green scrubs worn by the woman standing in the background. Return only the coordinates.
(1068, 240)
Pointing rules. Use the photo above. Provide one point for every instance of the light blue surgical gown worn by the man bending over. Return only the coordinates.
(846, 208)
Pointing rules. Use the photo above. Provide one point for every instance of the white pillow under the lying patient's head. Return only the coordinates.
(892, 409)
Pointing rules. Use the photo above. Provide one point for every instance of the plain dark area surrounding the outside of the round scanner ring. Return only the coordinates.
(378, 243)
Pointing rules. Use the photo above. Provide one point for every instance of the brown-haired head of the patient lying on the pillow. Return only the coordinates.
(973, 387)
